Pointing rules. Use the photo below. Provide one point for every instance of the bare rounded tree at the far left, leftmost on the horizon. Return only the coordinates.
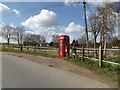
(7, 33)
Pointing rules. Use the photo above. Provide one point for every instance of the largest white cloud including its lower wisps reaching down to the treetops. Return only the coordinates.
(44, 23)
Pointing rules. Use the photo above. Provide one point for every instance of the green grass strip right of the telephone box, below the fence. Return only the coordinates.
(108, 70)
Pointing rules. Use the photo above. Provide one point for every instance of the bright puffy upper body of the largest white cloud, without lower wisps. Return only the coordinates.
(44, 19)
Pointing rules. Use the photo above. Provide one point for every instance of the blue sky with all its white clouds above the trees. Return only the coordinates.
(46, 18)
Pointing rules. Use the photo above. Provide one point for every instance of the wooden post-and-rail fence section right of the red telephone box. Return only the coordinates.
(83, 54)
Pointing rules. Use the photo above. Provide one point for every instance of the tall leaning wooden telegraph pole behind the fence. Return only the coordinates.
(86, 29)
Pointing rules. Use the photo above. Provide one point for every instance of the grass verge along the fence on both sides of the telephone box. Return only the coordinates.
(108, 70)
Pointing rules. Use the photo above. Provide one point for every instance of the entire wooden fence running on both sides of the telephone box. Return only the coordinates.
(81, 52)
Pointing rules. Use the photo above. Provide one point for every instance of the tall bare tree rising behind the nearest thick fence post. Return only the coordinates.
(108, 18)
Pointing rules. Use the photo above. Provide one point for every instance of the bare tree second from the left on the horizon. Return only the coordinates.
(19, 33)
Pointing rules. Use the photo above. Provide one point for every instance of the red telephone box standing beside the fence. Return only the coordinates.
(63, 46)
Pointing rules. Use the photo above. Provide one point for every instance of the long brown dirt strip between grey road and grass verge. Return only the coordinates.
(64, 65)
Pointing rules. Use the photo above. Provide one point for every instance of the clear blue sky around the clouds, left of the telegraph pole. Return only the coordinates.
(66, 14)
